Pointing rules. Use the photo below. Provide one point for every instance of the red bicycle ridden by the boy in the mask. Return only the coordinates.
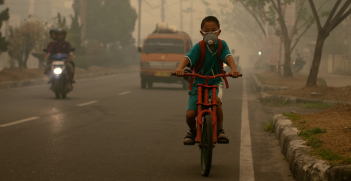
(206, 120)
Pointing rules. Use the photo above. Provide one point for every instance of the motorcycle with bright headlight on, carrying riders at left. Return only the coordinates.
(58, 76)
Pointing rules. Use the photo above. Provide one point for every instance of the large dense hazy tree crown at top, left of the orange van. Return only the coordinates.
(110, 21)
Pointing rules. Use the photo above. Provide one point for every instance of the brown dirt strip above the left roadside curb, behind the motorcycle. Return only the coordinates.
(18, 74)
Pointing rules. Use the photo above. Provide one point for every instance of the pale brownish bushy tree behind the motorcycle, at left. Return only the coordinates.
(24, 39)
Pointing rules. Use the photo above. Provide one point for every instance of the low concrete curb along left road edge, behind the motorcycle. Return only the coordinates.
(14, 84)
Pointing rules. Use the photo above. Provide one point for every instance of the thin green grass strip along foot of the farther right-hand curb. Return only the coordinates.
(302, 105)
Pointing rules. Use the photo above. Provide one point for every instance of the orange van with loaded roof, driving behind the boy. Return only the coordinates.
(161, 54)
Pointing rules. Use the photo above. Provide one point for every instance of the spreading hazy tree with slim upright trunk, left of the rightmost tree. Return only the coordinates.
(275, 17)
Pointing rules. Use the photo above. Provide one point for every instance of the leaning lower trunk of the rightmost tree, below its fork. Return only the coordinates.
(312, 78)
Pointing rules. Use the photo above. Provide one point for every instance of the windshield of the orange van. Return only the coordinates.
(166, 46)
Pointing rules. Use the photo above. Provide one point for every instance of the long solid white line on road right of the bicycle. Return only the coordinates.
(246, 163)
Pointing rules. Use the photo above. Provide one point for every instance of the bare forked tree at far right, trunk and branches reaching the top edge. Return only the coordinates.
(336, 16)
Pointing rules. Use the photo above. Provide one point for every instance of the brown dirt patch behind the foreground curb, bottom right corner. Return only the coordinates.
(328, 133)
